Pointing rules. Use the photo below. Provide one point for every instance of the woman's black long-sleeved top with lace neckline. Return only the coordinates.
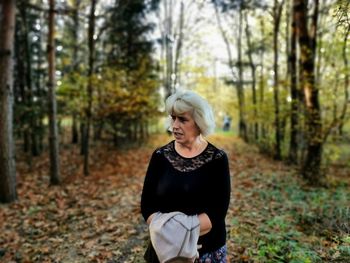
(190, 185)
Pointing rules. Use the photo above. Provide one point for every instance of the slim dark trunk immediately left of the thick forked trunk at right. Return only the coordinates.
(294, 117)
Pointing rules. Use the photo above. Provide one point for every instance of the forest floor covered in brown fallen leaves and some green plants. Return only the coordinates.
(273, 216)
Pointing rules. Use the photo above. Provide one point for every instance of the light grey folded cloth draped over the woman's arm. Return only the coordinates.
(174, 236)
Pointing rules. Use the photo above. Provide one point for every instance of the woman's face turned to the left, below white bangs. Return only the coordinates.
(185, 130)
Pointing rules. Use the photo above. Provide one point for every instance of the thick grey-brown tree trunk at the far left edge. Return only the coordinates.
(8, 192)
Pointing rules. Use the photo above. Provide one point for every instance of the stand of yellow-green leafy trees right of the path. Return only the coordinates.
(300, 118)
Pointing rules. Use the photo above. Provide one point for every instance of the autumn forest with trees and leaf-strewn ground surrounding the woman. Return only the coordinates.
(82, 91)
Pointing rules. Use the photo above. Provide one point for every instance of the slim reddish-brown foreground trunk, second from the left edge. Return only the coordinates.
(53, 136)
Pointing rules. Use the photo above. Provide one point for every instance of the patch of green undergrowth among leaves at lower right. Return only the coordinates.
(298, 224)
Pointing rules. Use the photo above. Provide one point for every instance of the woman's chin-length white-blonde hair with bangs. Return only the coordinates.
(188, 101)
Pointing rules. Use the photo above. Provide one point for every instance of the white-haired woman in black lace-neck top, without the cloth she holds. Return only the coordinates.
(190, 175)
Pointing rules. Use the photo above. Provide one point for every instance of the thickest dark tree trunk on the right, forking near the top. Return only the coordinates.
(311, 168)
